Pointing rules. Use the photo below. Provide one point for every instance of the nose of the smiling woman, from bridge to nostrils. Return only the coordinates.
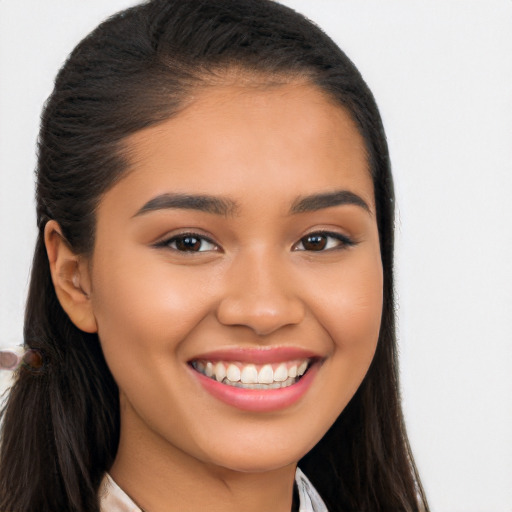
(260, 294)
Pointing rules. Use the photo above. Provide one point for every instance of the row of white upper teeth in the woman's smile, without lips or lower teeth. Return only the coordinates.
(252, 373)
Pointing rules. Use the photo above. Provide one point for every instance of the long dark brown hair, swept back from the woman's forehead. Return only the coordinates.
(61, 425)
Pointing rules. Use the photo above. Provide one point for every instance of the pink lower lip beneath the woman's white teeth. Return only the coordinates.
(258, 400)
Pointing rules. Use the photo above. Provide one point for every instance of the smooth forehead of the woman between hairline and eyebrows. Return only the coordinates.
(257, 141)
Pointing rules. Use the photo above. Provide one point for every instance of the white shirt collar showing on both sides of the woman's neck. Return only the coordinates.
(114, 499)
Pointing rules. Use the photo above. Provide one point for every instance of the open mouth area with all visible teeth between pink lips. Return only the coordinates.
(253, 376)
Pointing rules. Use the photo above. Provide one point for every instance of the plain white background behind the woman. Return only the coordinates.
(441, 71)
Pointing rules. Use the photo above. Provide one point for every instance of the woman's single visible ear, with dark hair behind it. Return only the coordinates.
(71, 279)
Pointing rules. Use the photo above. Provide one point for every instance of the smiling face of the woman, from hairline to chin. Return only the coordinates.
(240, 251)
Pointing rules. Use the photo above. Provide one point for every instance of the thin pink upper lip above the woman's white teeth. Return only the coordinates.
(257, 355)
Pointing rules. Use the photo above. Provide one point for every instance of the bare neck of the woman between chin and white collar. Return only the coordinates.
(159, 477)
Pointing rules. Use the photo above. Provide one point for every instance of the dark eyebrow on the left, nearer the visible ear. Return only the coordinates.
(203, 203)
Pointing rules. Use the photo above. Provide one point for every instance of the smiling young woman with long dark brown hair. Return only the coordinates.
(211, 301)
